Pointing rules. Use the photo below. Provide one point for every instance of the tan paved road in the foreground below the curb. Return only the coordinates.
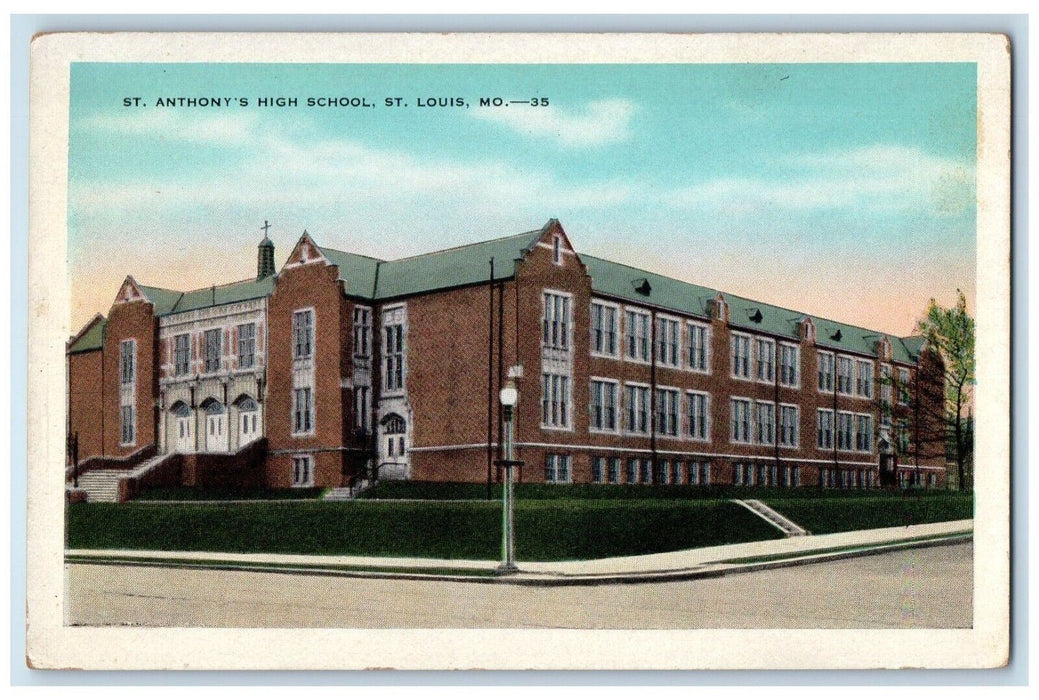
(915, 588)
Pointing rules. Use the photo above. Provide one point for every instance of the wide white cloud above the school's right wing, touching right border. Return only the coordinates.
(870, 180)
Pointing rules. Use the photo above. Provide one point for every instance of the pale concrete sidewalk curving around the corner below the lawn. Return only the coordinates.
(668, 567)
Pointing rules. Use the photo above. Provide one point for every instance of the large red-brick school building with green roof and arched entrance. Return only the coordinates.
(339, 366)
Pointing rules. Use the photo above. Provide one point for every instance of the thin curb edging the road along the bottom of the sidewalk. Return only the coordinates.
(710, 571)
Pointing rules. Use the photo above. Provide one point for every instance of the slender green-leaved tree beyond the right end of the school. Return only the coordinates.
(950, 334)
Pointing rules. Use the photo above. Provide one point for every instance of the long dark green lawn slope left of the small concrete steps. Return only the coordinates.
(546, 530)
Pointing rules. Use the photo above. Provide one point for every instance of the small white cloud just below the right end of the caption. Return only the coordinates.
(598, 123)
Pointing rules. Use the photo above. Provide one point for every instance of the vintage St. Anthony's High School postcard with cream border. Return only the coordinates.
(519, 352)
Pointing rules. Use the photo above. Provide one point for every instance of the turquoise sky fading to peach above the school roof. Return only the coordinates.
(843, 191)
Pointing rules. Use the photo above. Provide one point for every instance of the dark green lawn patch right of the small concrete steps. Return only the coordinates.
(885, 510)
